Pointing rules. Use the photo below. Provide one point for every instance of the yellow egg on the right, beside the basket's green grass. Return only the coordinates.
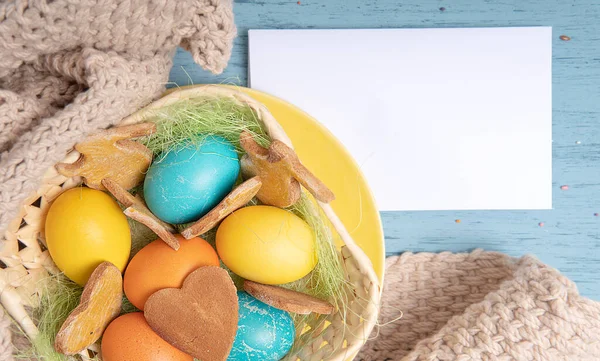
(267, 245)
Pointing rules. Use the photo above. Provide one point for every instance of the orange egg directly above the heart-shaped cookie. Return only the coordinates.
(158, 266)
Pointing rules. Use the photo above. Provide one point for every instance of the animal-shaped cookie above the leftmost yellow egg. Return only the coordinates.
(111, 154)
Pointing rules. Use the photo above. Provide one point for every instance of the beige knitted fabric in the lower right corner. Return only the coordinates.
(482, 306)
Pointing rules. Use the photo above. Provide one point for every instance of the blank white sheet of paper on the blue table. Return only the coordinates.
(437, 119)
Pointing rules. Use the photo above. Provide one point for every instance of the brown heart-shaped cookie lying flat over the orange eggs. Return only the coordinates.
(201, 318)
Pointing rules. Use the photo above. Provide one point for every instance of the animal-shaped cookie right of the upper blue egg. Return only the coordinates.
(281, 173)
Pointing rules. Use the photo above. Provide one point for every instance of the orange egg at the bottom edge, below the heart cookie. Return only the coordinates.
(129, 337)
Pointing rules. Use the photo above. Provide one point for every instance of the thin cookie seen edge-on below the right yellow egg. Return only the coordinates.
(287, 300)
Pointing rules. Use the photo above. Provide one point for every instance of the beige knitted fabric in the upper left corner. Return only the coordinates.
(69, 68)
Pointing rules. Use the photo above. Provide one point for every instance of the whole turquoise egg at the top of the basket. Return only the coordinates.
(189, 181)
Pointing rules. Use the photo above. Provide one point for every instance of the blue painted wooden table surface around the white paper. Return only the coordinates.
(570, 236)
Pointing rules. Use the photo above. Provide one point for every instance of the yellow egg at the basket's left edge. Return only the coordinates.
(85, 227)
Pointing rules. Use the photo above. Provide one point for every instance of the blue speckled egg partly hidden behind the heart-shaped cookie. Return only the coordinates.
(264, 333)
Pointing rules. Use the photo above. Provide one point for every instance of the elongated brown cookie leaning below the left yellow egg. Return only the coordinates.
(100, 304)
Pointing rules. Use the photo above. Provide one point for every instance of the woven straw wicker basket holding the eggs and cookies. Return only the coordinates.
(26, 260)
